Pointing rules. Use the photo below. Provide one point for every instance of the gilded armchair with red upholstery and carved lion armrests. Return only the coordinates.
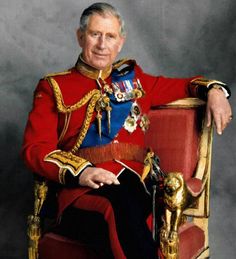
(178, 134)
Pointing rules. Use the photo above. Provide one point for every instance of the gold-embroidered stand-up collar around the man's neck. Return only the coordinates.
(92, 72)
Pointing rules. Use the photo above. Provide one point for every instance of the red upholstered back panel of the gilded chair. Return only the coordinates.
(174, 136)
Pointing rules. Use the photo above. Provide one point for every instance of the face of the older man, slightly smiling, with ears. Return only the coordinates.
(101, 42)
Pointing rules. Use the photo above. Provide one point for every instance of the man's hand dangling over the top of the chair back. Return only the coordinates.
(218, 109)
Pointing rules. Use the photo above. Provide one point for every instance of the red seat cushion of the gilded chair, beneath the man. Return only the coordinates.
(53, 246)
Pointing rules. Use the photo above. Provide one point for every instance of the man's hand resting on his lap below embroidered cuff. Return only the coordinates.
(96, 177)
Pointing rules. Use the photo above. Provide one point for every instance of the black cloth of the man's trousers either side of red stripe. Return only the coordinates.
(131, 206)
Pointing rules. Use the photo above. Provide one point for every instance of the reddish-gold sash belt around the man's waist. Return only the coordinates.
(113, 151)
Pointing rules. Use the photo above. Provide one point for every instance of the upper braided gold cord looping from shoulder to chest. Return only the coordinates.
(59, 99)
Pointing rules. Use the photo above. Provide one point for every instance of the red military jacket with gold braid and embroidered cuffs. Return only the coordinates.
(61, 104)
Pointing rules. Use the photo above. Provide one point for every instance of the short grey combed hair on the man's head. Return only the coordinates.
(101, 9)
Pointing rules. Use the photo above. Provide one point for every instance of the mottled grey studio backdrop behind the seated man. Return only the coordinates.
(177, 38)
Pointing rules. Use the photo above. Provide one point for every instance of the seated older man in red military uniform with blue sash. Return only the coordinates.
(86, 132)
